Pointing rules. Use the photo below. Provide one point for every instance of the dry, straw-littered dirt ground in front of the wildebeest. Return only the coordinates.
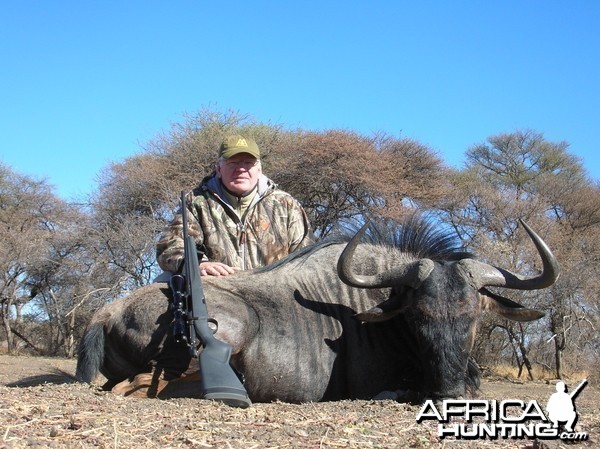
(42, 406)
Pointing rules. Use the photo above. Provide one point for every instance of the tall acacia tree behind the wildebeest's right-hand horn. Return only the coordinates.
(521, 175)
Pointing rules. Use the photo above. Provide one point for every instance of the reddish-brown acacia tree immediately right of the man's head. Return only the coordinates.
(330, 173)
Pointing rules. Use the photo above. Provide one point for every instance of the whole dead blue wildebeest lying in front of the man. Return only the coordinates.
(309, 328)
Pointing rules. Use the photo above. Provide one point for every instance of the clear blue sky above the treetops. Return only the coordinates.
(86, 83)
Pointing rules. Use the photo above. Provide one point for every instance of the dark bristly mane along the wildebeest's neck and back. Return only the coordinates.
(416, 235)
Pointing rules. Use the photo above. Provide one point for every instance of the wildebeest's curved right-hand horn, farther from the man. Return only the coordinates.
(488, 276)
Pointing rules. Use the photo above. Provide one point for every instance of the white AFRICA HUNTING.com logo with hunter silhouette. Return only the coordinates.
(509, 418)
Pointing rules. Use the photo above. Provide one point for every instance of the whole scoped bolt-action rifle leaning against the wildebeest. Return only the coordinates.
(218, 380)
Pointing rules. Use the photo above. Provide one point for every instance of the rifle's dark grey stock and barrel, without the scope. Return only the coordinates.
(218, 380)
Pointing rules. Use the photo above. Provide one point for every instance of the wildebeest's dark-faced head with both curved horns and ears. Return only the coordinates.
(437, 304)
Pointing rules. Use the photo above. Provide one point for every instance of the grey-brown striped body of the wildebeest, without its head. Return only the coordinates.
(299, 343)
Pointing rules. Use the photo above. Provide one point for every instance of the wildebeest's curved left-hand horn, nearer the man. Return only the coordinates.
(411, 274)
